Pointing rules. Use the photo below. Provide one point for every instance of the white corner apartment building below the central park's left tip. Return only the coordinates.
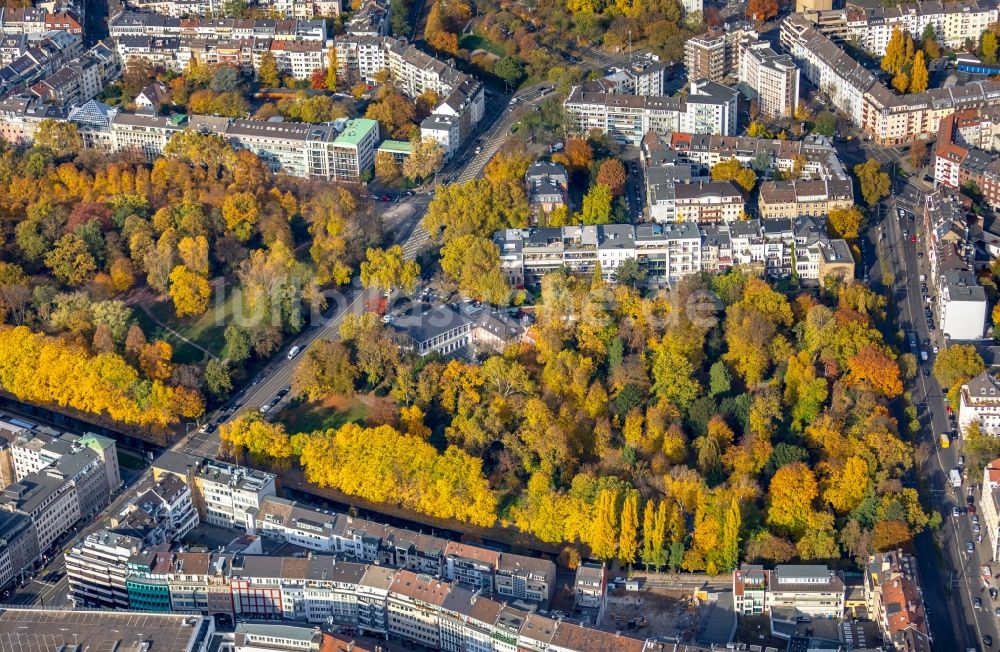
(231, 495)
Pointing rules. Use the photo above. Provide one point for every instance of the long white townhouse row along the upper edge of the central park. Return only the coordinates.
(670, 251)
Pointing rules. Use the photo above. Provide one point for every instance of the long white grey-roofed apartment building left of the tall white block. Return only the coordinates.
(708, 108)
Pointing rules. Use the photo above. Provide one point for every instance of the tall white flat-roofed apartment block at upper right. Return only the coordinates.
(774, 77)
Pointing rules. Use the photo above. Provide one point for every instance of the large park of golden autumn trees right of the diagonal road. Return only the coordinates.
(719, 422)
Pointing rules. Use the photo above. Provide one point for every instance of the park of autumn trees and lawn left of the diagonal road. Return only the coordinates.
(138, 293)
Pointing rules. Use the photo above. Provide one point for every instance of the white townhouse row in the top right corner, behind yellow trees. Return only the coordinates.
(871, 27)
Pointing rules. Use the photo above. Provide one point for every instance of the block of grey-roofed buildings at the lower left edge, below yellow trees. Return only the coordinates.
(51, 481)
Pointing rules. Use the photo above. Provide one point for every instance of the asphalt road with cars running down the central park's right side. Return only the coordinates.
(950, 576)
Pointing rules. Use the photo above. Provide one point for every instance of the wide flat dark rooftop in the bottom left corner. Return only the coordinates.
(46, 630)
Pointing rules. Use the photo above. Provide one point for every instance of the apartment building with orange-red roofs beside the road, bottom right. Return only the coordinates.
(895, 600)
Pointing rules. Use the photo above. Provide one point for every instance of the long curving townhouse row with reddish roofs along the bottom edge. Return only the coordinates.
(372, 599)
